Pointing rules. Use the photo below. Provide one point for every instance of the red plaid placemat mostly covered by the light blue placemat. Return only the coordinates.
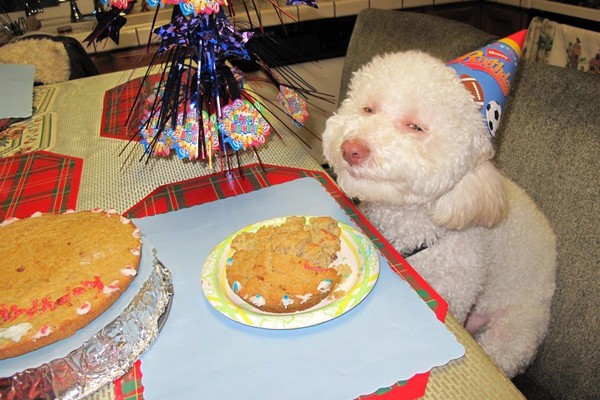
(217, 186)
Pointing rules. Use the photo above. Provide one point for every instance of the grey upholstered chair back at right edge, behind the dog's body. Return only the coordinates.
(549, 143)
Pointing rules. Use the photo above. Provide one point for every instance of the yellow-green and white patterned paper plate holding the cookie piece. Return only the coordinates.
(357, 251)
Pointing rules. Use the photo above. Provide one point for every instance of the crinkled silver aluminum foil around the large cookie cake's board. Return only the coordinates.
(107, 355)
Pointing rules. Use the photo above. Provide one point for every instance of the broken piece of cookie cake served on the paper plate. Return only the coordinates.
(286, 268)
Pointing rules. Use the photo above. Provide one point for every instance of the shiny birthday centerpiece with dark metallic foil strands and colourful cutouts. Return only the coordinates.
(200, 107)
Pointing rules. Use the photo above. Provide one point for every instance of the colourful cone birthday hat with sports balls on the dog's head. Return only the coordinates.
(488, 74)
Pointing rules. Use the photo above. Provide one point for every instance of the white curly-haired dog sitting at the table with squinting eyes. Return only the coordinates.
(410, 143)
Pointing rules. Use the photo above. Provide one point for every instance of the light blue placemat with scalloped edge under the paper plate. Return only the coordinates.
(200, 353)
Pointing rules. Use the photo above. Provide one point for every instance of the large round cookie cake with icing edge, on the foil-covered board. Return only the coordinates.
(59, 272)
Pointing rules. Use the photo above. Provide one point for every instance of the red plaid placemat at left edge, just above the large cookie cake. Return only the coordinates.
(38, 181)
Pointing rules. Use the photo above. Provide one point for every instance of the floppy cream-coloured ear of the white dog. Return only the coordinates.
(478, 199)
